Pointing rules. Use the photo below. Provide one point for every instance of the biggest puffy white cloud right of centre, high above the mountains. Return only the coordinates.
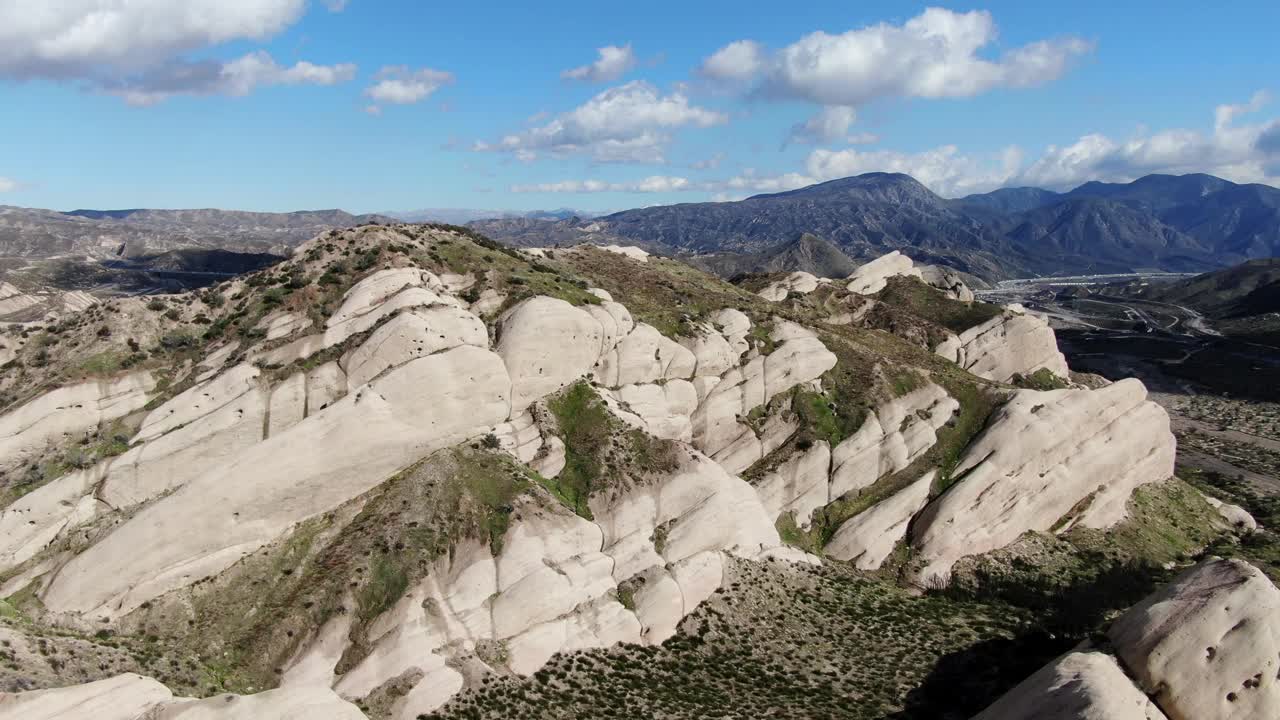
(935, 54)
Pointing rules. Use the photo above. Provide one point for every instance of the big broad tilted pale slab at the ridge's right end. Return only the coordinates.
(1041, 455)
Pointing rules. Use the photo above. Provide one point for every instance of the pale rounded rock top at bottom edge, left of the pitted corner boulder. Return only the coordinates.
(1080, 686)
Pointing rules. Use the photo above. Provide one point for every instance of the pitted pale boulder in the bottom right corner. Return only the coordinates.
(1208, 646)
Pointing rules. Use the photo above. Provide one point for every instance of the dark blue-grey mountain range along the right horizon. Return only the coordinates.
(1187, 224)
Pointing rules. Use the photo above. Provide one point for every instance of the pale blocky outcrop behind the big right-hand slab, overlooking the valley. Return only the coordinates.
(1011, 344)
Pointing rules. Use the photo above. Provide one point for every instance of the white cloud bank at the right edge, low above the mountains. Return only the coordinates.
(1241, 153)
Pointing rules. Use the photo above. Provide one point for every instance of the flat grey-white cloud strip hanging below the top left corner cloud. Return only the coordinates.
(237, 78)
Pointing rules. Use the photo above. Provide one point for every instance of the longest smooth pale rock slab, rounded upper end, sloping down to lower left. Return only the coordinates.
(232, 511)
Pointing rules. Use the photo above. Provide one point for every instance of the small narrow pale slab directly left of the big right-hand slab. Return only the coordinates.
(868, 539)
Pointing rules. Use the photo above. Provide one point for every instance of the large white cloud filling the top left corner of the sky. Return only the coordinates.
(135, 48)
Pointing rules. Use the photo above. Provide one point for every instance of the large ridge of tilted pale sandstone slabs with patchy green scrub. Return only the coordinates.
(733, 431)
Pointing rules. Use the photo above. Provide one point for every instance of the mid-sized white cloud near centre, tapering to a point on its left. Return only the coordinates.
(629, 124)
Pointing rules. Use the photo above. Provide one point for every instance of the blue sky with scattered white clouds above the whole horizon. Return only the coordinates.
(401, 104)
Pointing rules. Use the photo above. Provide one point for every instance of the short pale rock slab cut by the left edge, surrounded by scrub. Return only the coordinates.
(53, 418)
